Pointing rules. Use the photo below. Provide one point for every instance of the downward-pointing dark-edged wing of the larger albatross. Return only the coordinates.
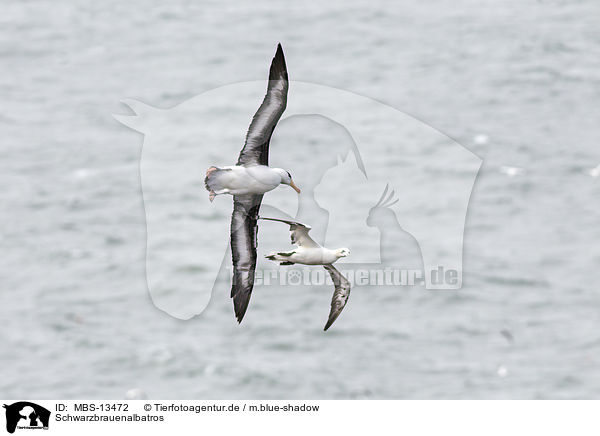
(244, 232)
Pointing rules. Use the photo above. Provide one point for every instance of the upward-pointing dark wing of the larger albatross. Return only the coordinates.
(256, 148)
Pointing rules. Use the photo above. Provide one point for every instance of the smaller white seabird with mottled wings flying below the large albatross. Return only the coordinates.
(308, 252)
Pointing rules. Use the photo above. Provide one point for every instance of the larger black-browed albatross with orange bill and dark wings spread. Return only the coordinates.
(248, 180)
